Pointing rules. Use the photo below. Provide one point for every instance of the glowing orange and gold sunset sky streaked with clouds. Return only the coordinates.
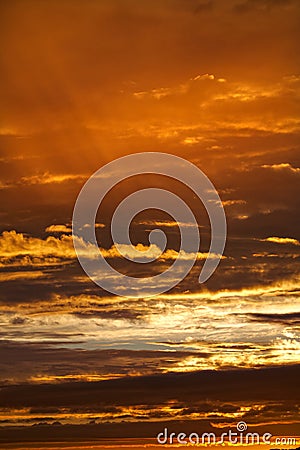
(82, 84)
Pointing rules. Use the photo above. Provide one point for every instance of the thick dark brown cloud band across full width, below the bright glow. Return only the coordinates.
(237, 385)
